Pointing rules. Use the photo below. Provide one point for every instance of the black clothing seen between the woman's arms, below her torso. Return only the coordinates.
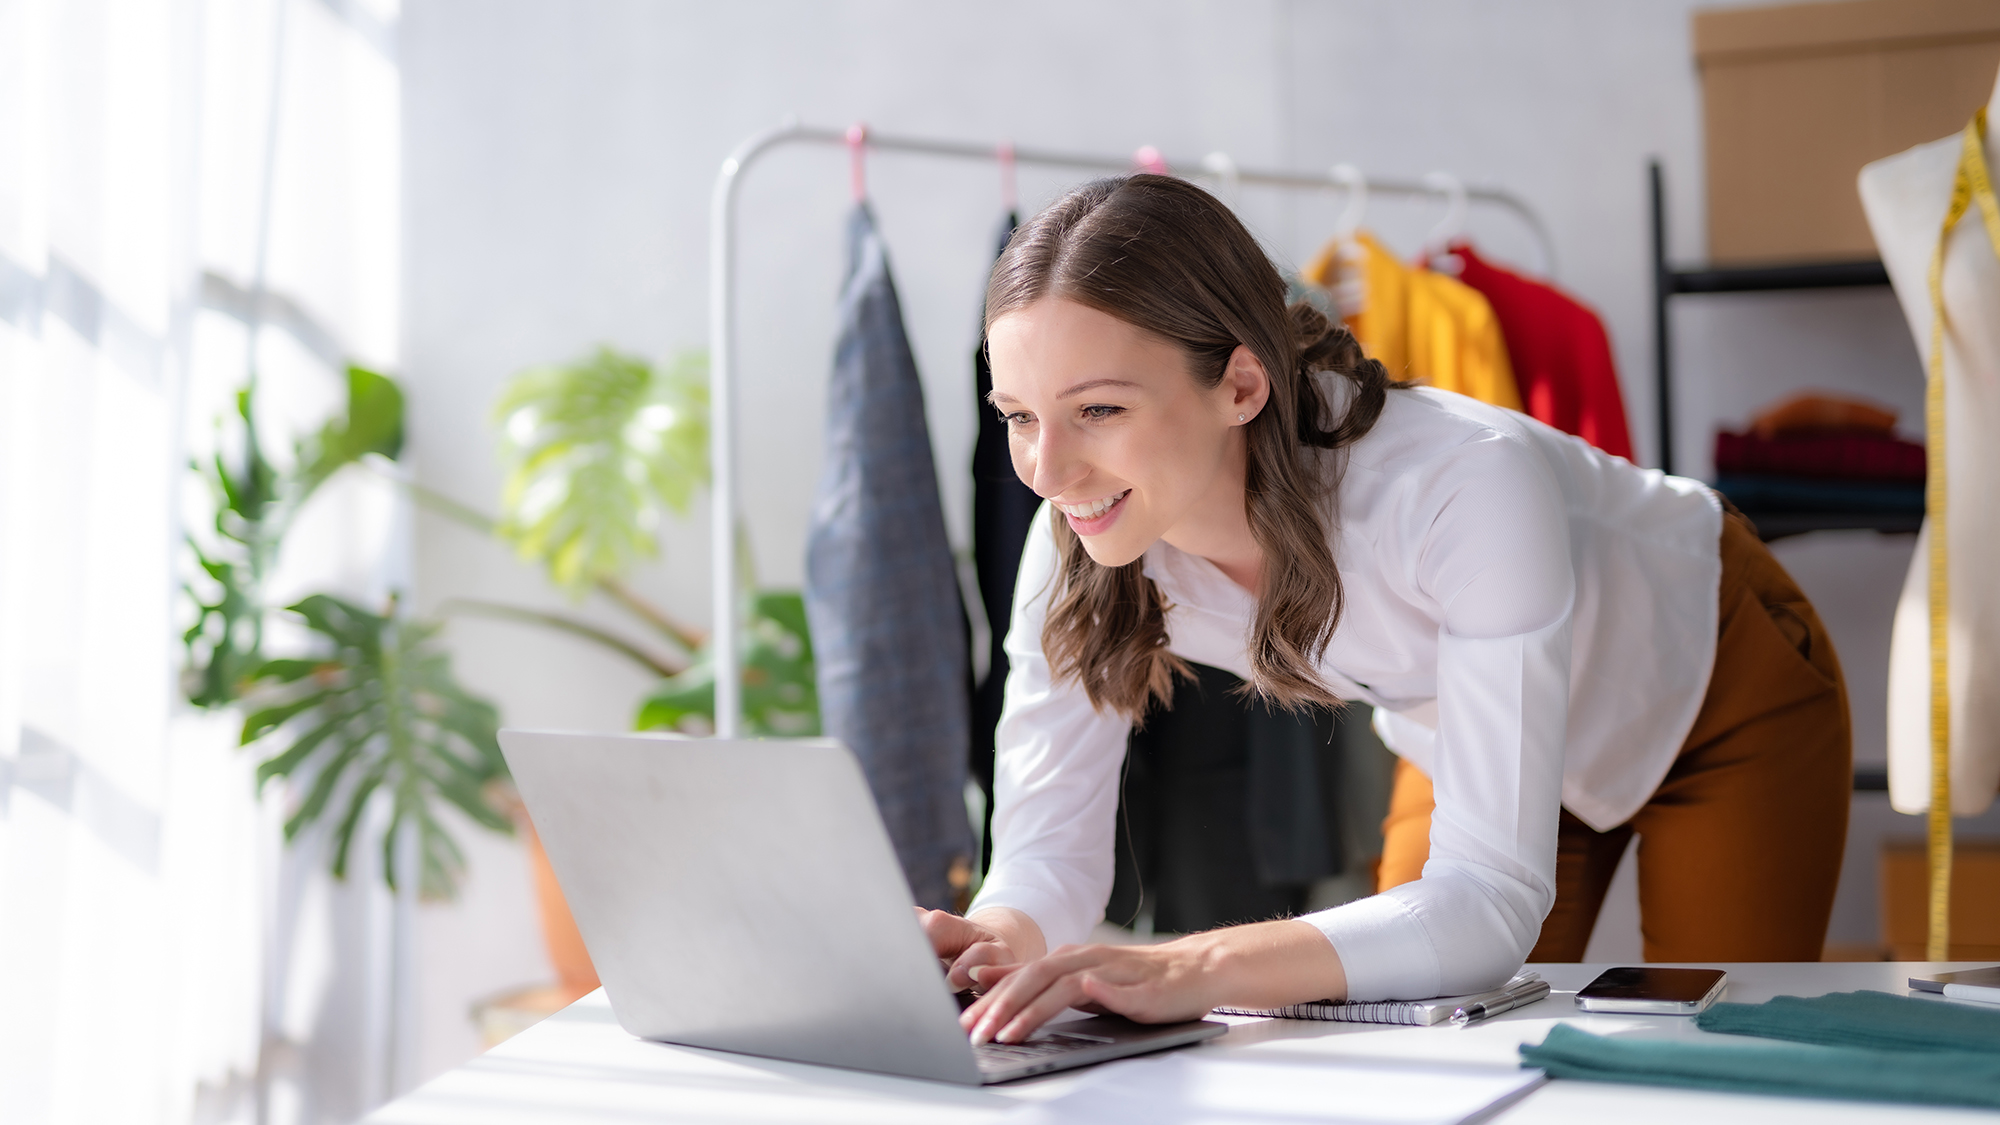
(1229, 810)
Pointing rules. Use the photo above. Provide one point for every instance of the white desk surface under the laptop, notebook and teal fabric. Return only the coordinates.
(579, 1068)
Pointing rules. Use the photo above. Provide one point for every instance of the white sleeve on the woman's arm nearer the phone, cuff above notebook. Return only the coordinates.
(1495, 561)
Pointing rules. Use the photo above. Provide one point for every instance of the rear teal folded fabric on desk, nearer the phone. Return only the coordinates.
(1863, 1020)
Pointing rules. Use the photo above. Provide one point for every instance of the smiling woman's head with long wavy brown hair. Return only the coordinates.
(1093, 353)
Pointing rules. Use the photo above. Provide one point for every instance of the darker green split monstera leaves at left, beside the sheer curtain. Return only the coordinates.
(373, 708)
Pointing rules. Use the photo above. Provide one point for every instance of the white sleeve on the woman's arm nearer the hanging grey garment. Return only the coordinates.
(1057, 766)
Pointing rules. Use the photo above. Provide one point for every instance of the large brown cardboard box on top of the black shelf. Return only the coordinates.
(1797, 99)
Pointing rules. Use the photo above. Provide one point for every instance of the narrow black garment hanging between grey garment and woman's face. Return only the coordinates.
(1003, 509)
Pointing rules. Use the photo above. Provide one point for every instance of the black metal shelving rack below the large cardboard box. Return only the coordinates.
(1775, 277)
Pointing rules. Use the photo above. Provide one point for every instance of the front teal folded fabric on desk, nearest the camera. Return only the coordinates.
(1849, 1074)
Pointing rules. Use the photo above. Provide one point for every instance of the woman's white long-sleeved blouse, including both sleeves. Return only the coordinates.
(1533, 622)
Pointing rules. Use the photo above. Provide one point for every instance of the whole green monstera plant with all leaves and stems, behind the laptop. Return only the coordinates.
(597, 455)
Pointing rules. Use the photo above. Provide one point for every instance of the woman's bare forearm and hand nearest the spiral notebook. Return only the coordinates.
(1251, 966)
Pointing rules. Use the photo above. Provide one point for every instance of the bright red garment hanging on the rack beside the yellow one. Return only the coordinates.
(1563, 359)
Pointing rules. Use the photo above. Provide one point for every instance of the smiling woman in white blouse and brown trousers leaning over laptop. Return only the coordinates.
(1567, 648)
